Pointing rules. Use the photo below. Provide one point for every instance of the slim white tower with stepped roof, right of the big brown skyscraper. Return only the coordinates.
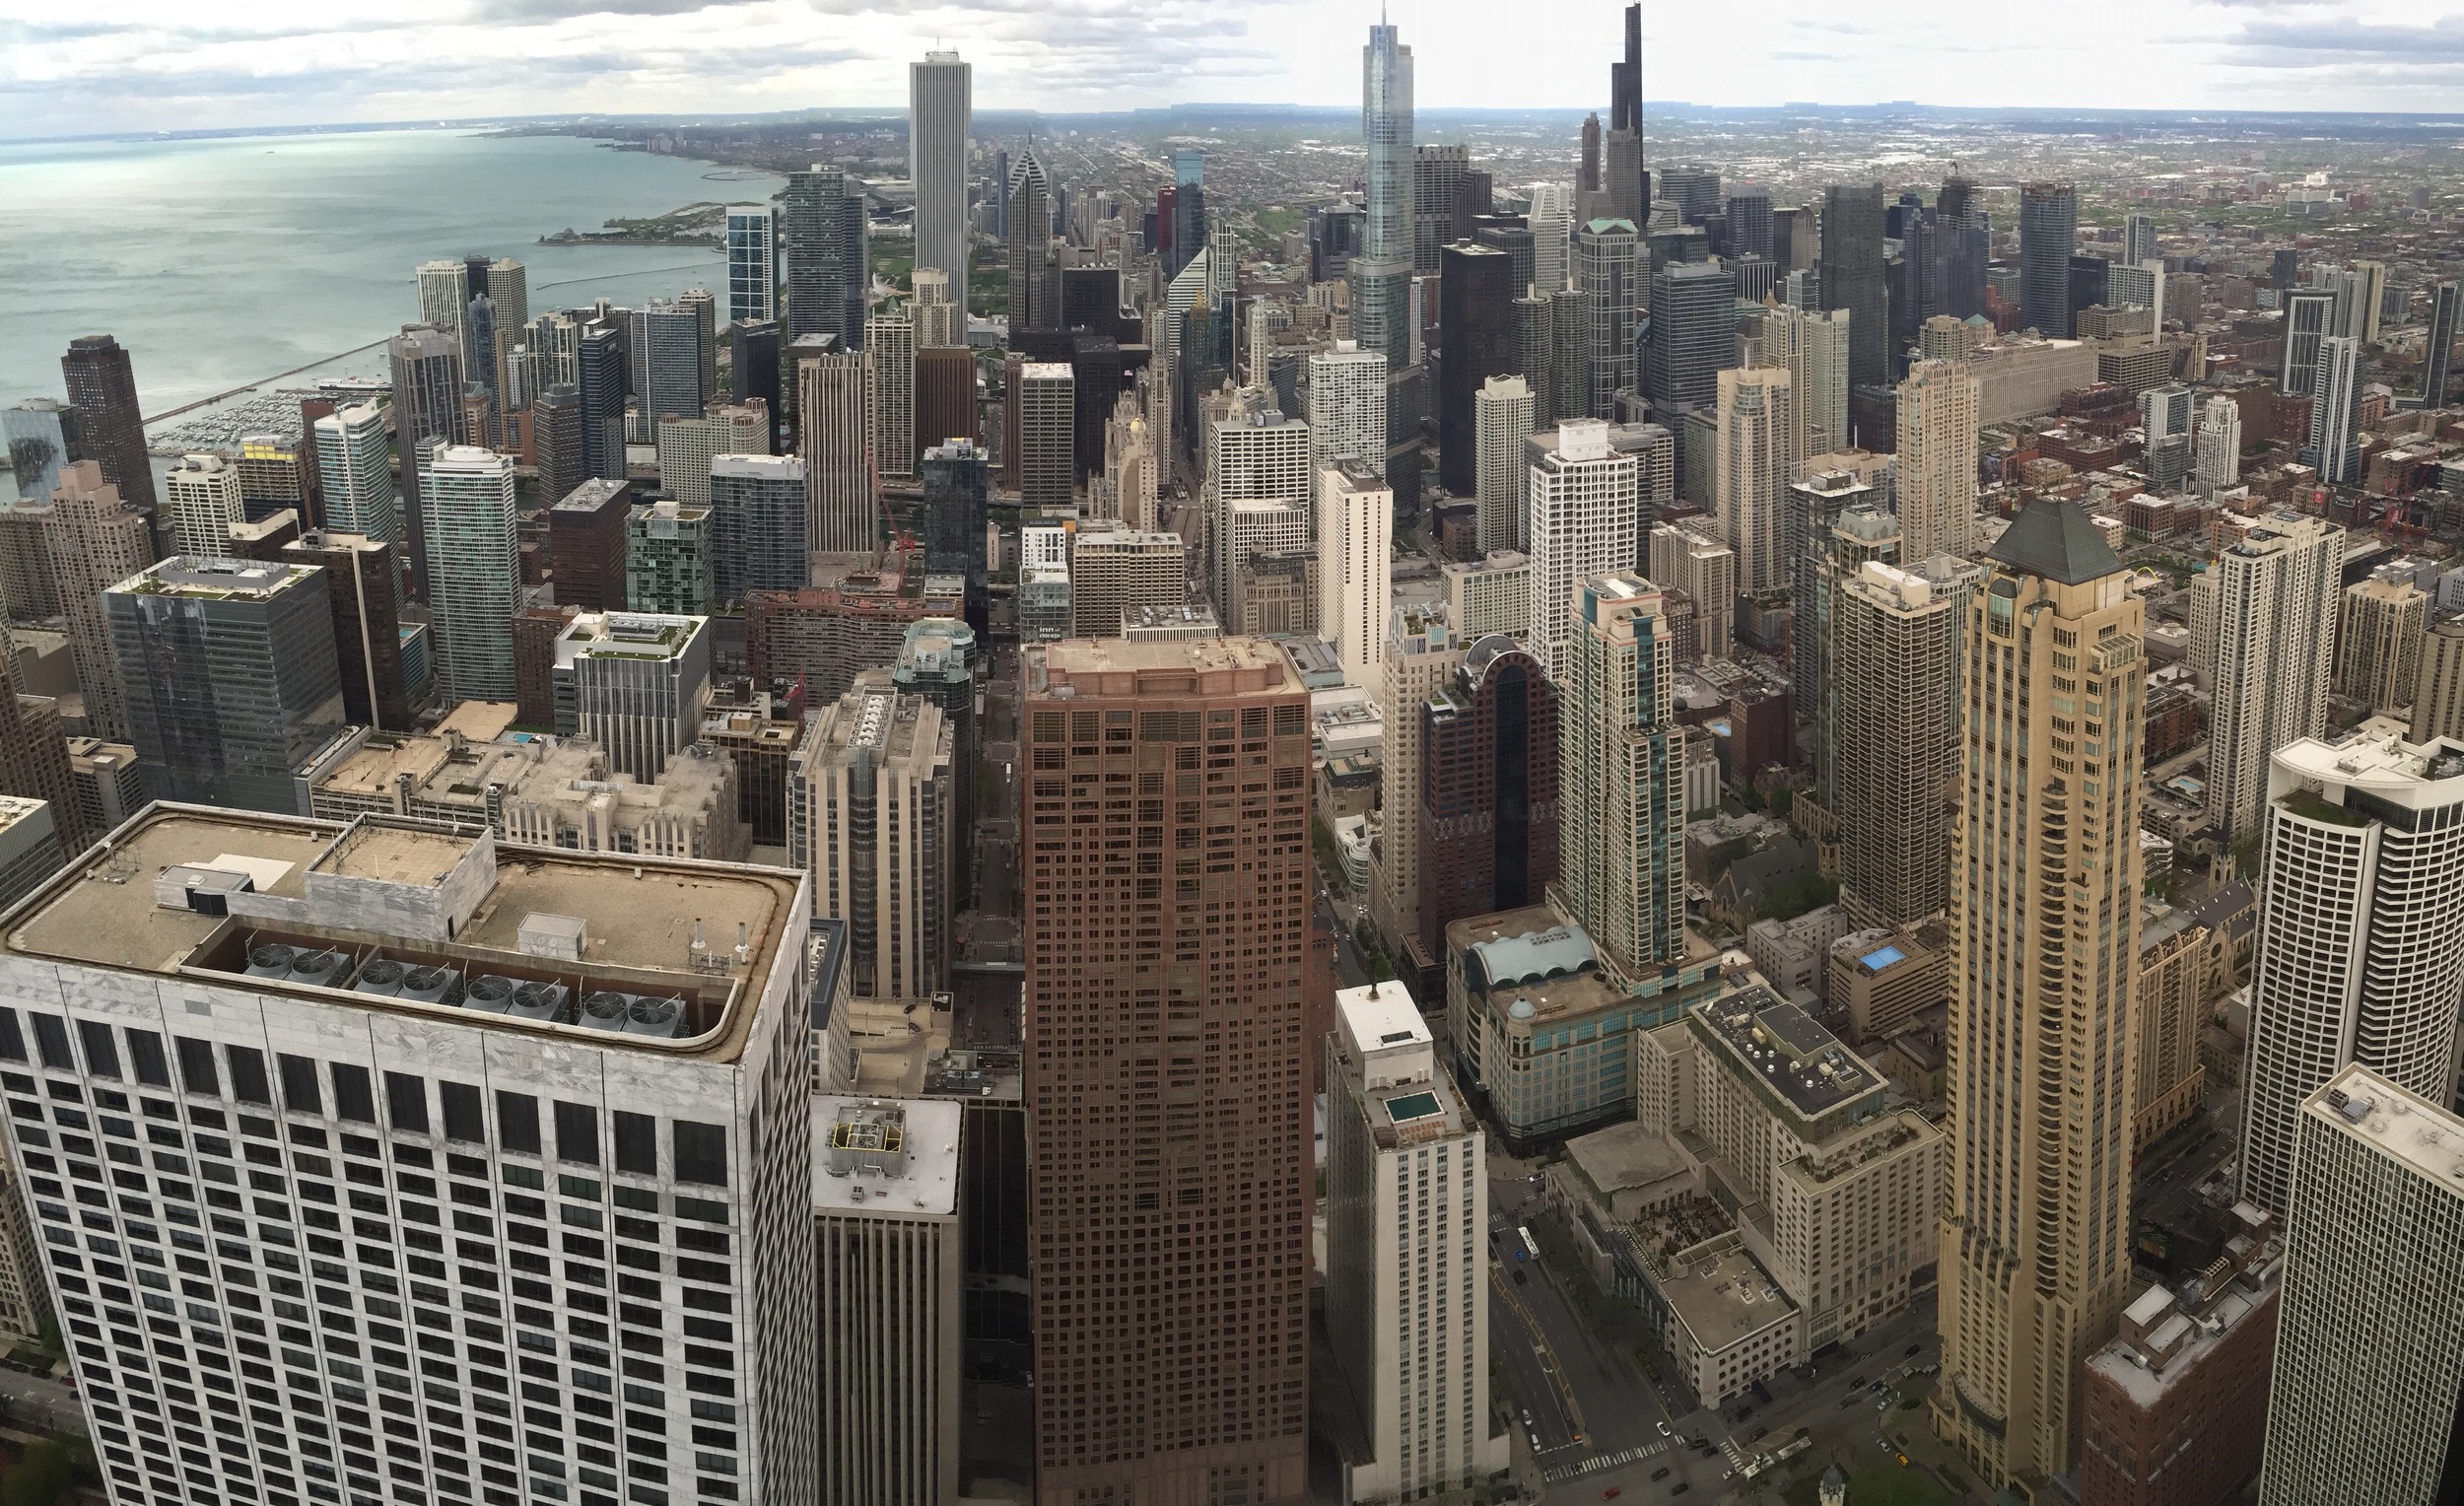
(1408, 1261)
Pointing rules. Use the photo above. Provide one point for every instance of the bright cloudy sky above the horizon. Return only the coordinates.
(147, 65)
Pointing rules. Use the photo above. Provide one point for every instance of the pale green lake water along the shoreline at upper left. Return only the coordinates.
(225, 263)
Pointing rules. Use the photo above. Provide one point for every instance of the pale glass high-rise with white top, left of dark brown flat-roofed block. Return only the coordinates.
(474, 571)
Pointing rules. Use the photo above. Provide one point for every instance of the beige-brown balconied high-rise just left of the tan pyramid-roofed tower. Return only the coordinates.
(1894, 743)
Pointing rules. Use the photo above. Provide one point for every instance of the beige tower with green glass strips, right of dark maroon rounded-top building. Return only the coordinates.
(1623, 778)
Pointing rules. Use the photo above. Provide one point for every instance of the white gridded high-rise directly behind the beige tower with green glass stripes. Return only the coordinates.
(1583, 521)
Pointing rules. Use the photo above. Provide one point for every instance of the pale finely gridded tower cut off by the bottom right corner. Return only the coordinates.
(2372, 1325)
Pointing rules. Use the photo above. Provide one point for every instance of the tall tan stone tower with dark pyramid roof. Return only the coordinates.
(2036, 1234)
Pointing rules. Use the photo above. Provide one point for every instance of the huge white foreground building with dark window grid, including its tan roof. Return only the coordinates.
(533, 1110)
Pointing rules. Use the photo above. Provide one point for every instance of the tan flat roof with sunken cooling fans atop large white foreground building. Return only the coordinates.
(196, 893)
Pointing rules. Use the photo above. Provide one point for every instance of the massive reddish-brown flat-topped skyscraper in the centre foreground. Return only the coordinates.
(1167, 926)
